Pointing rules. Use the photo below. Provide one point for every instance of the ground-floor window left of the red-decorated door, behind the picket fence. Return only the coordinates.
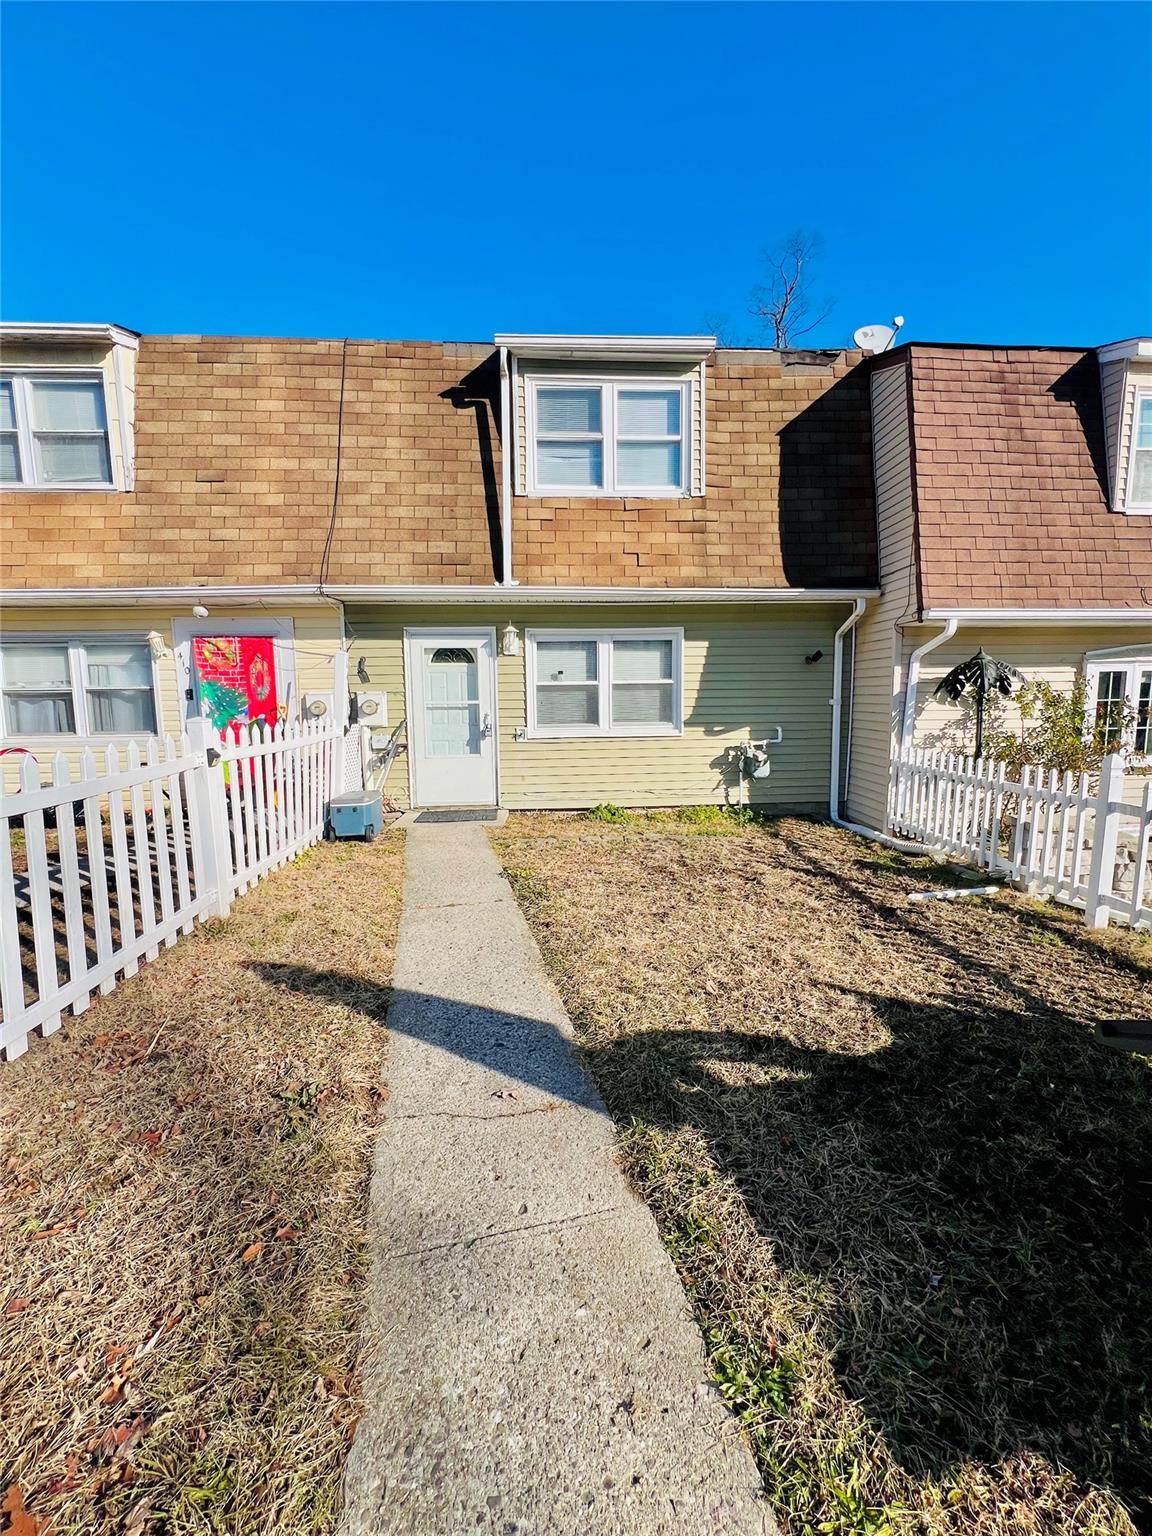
(99, 687)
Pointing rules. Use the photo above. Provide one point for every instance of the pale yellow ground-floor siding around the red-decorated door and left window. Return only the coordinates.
(316, 641)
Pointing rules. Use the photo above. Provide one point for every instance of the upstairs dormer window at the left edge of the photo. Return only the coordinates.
(55, 431)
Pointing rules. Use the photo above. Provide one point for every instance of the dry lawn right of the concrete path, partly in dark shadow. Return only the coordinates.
(905, 1188)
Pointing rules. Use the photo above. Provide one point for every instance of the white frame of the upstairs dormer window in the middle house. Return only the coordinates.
(611, 386)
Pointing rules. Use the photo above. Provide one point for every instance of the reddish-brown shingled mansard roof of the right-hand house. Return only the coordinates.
(1011, 483)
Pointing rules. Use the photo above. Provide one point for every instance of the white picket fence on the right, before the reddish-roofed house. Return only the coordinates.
(1073, 838)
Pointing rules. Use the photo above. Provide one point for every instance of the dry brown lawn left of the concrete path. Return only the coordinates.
(182, 1233)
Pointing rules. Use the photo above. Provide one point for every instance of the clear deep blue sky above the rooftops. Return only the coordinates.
(448, 171)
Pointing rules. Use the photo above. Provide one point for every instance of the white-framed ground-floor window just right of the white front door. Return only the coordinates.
(604, 684)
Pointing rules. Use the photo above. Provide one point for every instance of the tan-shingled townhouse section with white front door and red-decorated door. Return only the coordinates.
(583, 569)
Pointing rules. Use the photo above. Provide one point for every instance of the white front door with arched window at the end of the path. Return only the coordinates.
(452, 717)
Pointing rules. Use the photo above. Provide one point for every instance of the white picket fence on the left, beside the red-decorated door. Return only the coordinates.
(144, 844)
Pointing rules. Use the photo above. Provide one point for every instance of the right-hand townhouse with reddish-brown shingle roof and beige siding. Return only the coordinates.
(1015, 511)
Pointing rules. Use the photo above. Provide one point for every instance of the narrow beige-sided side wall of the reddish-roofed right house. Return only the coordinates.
(876, 635)
